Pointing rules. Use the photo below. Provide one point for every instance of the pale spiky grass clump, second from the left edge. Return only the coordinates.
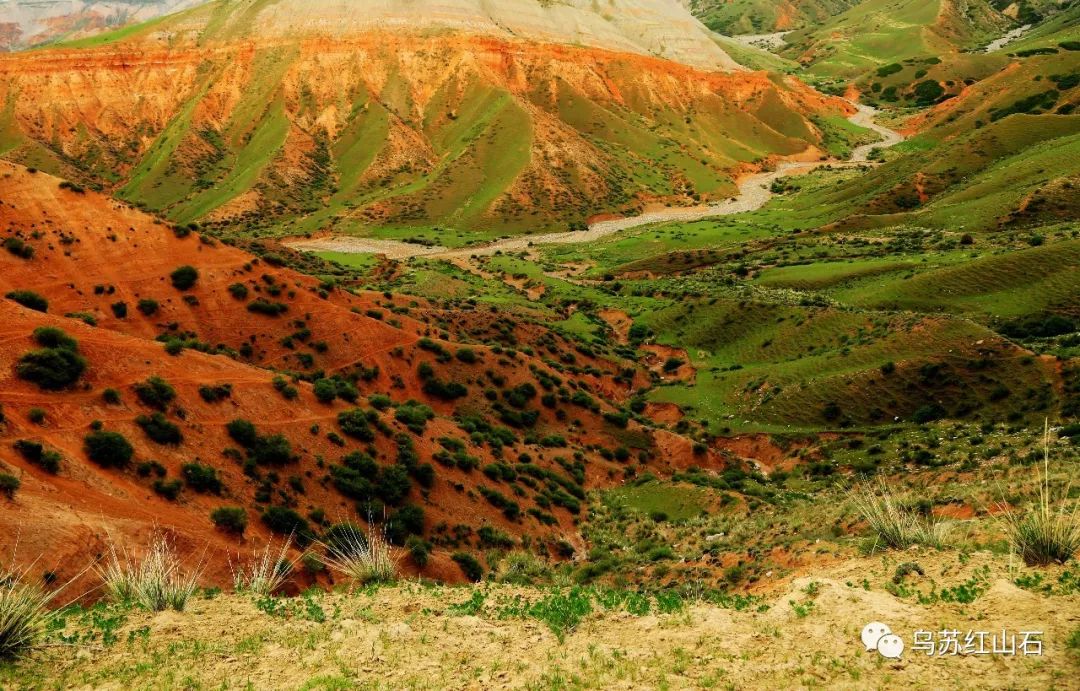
(159, 581)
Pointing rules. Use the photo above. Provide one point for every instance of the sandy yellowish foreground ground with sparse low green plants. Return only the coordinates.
(805, 634)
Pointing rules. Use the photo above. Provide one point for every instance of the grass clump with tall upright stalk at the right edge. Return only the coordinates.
(1045, 535)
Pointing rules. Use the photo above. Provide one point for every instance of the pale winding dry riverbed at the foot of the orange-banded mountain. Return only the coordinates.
(754, 192)
